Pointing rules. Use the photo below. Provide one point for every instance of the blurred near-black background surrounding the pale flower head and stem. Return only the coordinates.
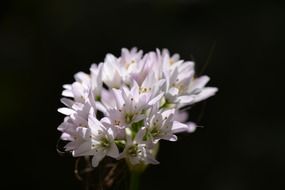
(242, 146)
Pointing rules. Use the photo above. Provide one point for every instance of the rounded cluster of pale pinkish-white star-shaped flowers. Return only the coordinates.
(127, 104)
